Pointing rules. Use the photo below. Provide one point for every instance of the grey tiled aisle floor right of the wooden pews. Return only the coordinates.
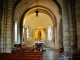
(51, 54)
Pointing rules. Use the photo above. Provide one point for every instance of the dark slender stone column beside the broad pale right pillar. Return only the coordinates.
(71, 25)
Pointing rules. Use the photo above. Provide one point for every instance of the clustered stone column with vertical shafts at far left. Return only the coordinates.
(6, 27)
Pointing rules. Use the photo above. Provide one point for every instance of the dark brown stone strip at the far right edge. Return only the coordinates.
(77, 24)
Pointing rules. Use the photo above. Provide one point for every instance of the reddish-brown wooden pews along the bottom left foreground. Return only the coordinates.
(21, 56)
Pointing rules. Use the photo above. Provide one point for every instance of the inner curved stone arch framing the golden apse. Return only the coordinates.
(49, 13)
